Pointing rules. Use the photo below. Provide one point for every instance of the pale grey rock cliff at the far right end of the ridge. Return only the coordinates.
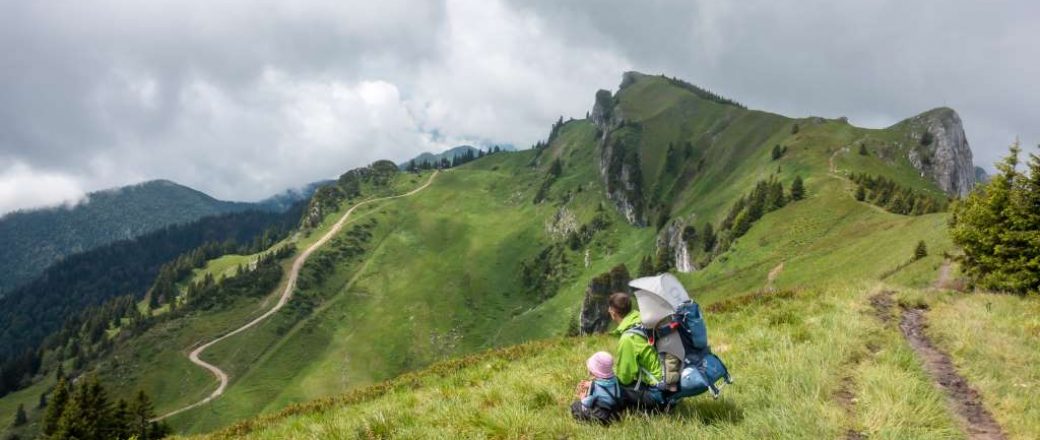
(941, 151)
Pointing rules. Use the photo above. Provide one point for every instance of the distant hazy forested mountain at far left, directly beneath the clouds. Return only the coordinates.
(36, 240)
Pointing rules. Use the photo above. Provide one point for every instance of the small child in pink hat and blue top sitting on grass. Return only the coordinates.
(601, 399)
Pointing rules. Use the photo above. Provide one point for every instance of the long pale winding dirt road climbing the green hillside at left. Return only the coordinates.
(287, 296)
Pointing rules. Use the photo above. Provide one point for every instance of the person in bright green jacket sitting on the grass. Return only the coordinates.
(638, 366)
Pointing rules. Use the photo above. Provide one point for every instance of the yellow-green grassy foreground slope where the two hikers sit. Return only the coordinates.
(791, 353)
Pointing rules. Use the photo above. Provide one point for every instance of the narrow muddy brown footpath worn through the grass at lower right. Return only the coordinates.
(965, 401)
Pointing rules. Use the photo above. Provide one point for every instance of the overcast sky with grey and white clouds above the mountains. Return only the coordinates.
(246, 98)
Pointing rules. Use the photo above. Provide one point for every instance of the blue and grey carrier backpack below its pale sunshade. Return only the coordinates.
(700, 370)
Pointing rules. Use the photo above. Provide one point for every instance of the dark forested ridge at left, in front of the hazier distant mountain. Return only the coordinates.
(68, 310)
